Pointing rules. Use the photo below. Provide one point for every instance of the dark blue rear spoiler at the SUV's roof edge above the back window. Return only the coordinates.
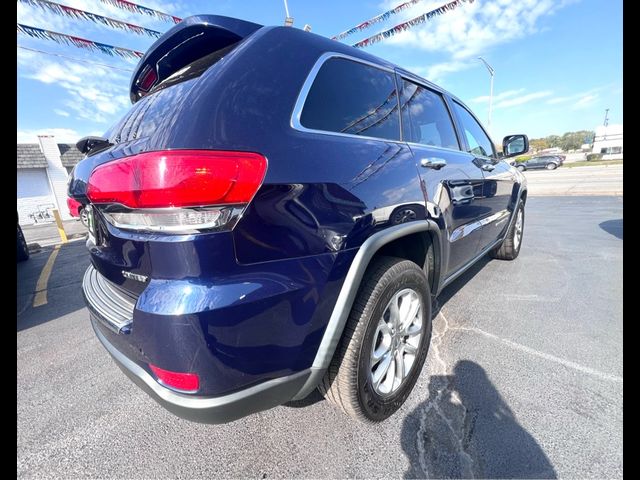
(191, 39)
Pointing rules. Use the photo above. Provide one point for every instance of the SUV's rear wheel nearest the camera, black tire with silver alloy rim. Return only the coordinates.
(349, 381)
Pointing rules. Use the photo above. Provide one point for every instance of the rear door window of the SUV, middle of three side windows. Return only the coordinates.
(425, 118)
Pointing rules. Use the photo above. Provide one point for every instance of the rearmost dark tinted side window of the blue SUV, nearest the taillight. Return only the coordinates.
(350, 97)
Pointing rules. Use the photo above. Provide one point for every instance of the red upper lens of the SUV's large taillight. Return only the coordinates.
(178, 178)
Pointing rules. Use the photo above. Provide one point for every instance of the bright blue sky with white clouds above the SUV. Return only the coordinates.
(558, 63)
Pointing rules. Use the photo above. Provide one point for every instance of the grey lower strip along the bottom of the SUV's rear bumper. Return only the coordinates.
(221, 409)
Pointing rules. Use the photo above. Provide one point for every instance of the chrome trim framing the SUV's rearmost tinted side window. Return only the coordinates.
(306, 86)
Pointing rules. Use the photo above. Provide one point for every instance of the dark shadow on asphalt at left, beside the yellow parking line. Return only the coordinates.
(64, 287)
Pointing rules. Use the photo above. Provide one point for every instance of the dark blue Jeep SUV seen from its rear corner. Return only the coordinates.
(277, 213)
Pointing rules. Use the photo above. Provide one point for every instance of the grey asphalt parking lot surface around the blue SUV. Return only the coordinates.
(523, 379)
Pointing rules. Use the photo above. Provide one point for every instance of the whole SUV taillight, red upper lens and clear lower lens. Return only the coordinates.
(177, 190)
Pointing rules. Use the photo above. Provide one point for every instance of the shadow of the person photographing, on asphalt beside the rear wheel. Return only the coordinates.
(465, 429)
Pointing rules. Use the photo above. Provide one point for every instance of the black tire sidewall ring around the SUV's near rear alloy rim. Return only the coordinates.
(374, 406)
